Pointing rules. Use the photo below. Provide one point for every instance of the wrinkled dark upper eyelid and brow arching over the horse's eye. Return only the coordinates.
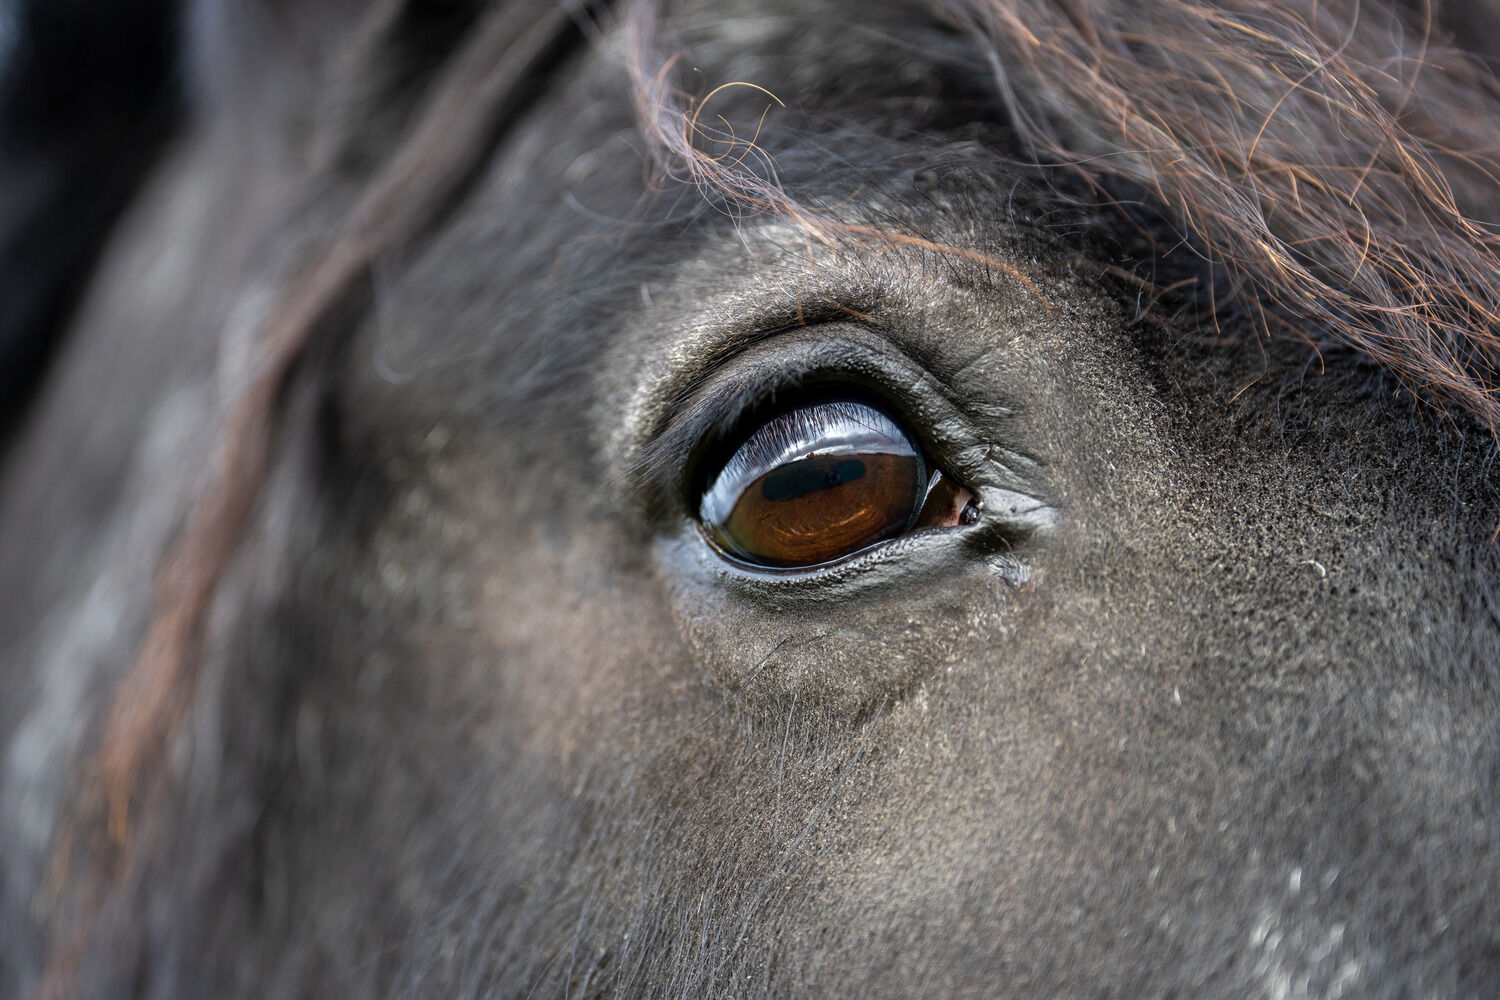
(652, 428)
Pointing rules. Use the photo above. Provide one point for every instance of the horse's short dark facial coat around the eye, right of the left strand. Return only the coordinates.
(1201, 705)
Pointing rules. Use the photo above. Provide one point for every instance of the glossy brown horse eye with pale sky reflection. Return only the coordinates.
(823, 482)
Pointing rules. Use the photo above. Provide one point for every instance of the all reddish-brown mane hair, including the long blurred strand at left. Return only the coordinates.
(1327, 166)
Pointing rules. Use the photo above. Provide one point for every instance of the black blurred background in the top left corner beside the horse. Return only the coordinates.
(88, 98)
